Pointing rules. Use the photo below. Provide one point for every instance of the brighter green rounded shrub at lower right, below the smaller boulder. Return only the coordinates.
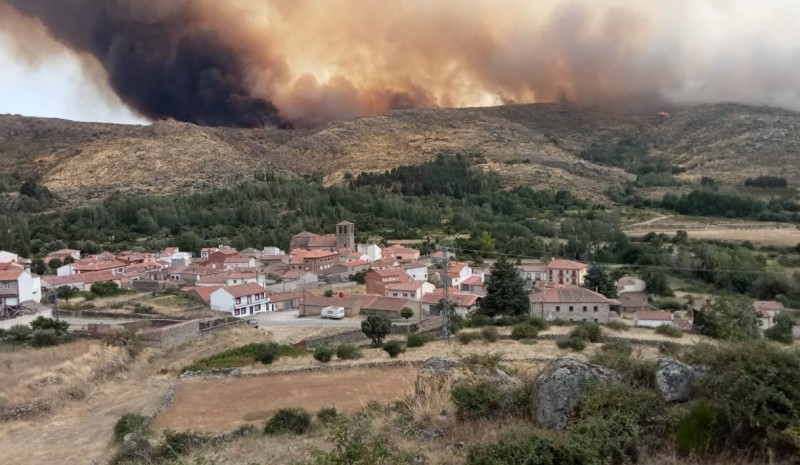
(698, 429)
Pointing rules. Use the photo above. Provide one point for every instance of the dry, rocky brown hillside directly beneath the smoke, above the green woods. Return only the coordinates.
(535, 145)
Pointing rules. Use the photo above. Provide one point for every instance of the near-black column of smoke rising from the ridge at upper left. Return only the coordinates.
(156, 61)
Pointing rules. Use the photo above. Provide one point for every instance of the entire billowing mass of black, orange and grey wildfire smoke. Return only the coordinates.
(270, 62)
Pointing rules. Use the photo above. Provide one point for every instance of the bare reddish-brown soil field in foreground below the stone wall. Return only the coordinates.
(224, 404)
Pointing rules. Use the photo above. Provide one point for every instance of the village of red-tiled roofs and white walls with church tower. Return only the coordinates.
(323, 274)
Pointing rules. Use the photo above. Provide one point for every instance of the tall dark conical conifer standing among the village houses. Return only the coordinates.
(505, 292)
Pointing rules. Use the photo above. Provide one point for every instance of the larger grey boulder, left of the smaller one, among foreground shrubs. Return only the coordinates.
(560, 387)
